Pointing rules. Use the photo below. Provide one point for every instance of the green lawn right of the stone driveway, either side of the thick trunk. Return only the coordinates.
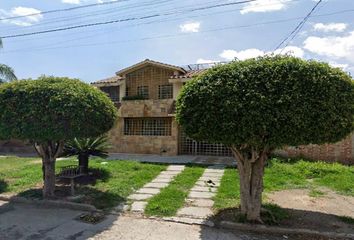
(280, 175)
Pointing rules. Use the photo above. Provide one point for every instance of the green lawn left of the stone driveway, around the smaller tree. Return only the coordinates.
(118, 180)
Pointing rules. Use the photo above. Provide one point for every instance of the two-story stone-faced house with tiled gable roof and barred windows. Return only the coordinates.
(145, 94)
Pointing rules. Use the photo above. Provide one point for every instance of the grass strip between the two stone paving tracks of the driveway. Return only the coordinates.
(172, 197)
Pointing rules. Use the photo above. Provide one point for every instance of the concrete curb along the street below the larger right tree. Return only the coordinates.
(281, 230)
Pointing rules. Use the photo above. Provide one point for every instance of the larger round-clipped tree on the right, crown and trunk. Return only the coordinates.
(258, 105)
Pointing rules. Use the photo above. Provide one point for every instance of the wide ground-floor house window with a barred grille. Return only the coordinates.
(147, 126)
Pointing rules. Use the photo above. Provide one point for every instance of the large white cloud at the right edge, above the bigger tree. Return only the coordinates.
(332, 46)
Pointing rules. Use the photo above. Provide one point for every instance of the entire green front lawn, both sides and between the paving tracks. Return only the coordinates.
(121, 178)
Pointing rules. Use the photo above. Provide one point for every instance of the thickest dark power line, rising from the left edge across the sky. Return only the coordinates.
(122, 20)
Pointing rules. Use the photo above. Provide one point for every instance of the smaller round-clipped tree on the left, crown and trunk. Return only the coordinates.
(49, 111)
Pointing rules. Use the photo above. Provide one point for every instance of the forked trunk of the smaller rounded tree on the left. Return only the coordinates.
(49, 151)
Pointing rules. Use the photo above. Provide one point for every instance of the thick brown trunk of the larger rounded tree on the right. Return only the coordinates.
(250, 164)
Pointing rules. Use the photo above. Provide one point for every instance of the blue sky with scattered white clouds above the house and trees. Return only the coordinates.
(183, 36)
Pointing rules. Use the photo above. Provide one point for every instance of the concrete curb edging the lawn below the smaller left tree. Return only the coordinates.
(51, 203)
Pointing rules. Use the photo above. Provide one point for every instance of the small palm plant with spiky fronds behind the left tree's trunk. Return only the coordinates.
(86, 147)
